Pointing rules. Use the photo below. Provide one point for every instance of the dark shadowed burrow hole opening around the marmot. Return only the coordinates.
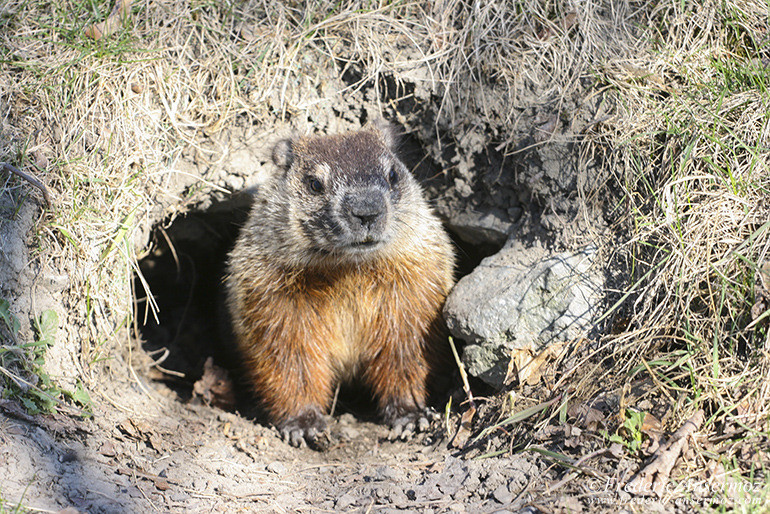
(184, 272)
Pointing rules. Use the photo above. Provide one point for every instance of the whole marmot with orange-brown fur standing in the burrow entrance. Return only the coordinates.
(340, 272)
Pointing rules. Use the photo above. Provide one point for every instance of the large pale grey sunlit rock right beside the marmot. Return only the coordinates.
(522, 298)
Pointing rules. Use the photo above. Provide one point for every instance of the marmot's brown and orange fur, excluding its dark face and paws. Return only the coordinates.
(304, 320)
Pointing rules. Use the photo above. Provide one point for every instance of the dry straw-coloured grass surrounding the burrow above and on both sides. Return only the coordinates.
(685, 140)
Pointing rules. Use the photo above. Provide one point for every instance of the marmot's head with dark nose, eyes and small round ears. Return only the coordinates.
(344, 190)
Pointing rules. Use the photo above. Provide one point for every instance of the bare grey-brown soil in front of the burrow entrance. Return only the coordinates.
(148, 452)
